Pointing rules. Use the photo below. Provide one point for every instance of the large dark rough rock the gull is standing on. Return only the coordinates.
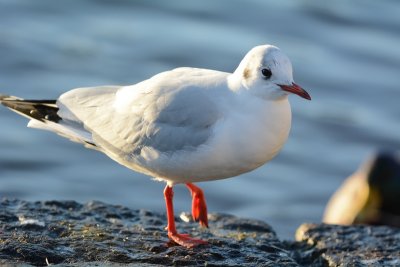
(66, 232)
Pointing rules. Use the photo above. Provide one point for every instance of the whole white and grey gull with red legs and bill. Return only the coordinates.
(180, 126)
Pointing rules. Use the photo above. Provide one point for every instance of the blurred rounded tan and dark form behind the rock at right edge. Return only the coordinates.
(370, 195)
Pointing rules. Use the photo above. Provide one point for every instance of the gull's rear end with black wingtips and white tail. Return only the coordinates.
(43, 114)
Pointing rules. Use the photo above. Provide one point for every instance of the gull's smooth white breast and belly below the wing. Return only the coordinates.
(246, 138)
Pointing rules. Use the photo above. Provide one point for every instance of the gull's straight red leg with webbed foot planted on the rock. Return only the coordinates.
(181, 239)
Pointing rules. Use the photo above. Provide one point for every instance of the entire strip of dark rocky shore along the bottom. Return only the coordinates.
(67, 233)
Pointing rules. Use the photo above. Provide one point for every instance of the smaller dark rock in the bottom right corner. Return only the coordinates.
(334, 245)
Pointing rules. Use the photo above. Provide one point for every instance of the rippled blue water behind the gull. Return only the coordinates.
(345, 53)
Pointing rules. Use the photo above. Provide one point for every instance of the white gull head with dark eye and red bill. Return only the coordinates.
(266, 71)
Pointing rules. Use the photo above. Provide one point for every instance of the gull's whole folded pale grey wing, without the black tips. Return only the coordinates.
(166, 121)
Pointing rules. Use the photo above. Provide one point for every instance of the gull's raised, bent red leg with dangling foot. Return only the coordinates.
(199, 206)
